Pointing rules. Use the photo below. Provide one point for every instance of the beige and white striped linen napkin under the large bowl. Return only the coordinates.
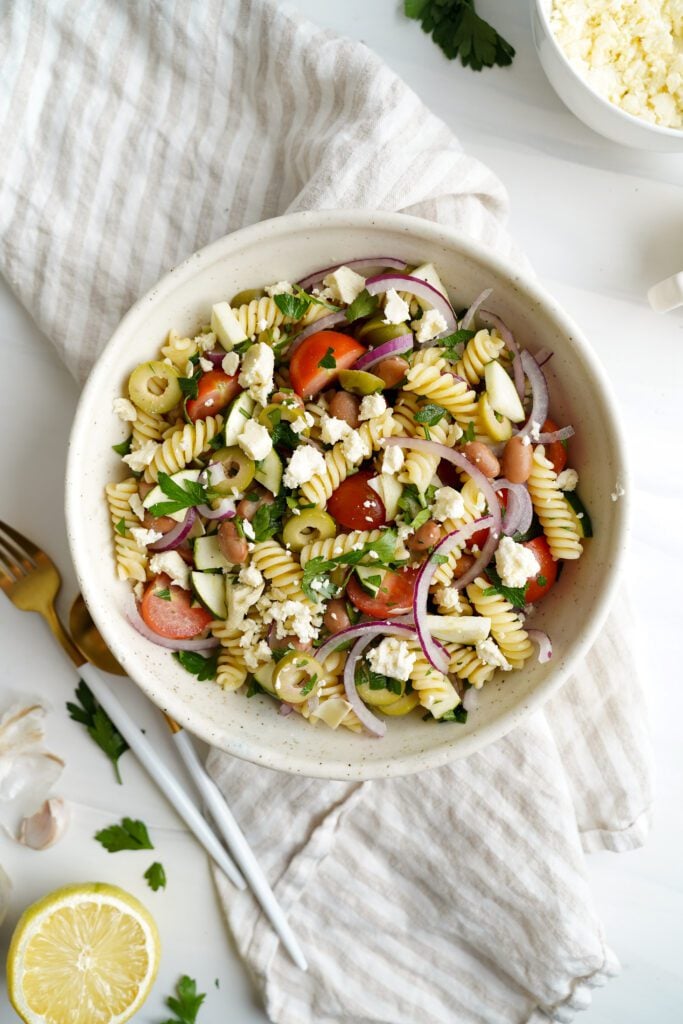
(137, 134)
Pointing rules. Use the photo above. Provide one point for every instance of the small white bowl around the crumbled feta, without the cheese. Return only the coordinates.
(589, 107)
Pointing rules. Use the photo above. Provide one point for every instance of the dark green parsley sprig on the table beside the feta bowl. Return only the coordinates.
(458, 30)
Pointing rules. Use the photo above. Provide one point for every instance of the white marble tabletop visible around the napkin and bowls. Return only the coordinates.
(601, 225)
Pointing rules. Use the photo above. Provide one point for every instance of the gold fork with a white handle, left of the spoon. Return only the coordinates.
(31, 581)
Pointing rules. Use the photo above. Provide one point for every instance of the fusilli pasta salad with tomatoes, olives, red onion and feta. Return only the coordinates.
(345, 496)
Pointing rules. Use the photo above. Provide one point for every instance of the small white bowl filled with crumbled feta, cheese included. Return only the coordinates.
(618, 67)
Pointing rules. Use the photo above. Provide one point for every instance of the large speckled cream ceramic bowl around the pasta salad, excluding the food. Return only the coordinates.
(289, 248)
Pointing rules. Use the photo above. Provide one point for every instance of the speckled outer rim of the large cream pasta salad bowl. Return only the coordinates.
(269, 756)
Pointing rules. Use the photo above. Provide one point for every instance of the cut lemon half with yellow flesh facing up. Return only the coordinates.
(84, 955)
